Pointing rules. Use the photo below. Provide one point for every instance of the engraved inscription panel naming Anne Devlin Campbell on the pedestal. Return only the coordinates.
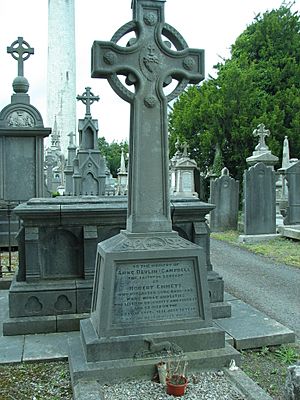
(155, 291)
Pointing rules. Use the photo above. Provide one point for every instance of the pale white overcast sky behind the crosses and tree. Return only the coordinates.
(212, 25)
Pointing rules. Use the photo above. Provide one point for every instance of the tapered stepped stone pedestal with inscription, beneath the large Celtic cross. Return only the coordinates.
(150, 301)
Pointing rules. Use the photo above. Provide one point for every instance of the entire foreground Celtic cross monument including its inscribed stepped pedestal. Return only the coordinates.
(150, 289)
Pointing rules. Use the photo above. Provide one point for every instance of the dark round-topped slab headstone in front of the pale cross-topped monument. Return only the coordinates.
(259, 200)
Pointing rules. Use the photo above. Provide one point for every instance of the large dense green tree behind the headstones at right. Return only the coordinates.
(260, 83)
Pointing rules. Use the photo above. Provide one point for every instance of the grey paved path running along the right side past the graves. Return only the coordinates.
(271, 288)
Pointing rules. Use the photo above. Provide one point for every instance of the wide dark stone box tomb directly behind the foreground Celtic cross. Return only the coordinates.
(48, 223)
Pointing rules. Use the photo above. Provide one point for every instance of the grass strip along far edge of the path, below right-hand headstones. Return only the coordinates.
(281, 250)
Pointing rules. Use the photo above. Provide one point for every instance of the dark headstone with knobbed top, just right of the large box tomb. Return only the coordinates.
(225, 195)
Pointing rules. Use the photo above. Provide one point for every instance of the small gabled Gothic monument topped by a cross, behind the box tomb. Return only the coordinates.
(89, 165)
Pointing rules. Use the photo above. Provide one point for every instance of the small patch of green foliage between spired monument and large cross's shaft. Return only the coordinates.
(112, 152)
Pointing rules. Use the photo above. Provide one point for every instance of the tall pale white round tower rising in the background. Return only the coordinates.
(61, 82)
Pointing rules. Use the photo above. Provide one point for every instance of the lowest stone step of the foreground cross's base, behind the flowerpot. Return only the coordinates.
(112, 371)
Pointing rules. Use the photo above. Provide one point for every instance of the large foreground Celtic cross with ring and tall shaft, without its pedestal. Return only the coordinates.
(149, 63)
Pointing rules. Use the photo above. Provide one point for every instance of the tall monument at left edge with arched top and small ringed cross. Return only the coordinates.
(21, 147)
